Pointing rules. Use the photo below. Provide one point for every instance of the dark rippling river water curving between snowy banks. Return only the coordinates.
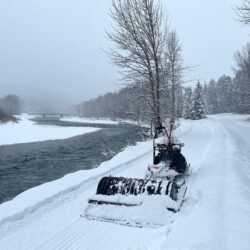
(26, 165)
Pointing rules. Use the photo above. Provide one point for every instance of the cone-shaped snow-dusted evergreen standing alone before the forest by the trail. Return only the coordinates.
(198, 109)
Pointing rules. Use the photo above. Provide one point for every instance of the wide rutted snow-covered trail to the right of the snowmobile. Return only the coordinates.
(216, 213)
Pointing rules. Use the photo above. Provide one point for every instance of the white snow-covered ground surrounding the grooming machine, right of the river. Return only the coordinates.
(215, 214)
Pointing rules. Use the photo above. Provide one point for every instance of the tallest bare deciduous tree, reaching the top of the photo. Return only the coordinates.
(139, 36)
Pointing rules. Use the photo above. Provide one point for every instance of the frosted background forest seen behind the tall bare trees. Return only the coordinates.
(227, 94)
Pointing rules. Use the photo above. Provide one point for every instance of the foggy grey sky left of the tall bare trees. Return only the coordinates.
(51, 50)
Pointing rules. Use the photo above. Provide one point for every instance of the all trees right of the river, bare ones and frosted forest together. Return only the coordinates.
(149, 55)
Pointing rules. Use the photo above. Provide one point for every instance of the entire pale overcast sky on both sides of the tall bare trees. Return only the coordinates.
(53, 48)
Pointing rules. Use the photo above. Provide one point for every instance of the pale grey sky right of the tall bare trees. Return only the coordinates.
(210, 35)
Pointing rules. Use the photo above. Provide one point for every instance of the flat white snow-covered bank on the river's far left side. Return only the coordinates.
(27, 131)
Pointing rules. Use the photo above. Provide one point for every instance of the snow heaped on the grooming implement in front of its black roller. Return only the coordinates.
(144, 210)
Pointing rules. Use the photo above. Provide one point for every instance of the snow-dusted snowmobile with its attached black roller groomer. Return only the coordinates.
(141, 202)
